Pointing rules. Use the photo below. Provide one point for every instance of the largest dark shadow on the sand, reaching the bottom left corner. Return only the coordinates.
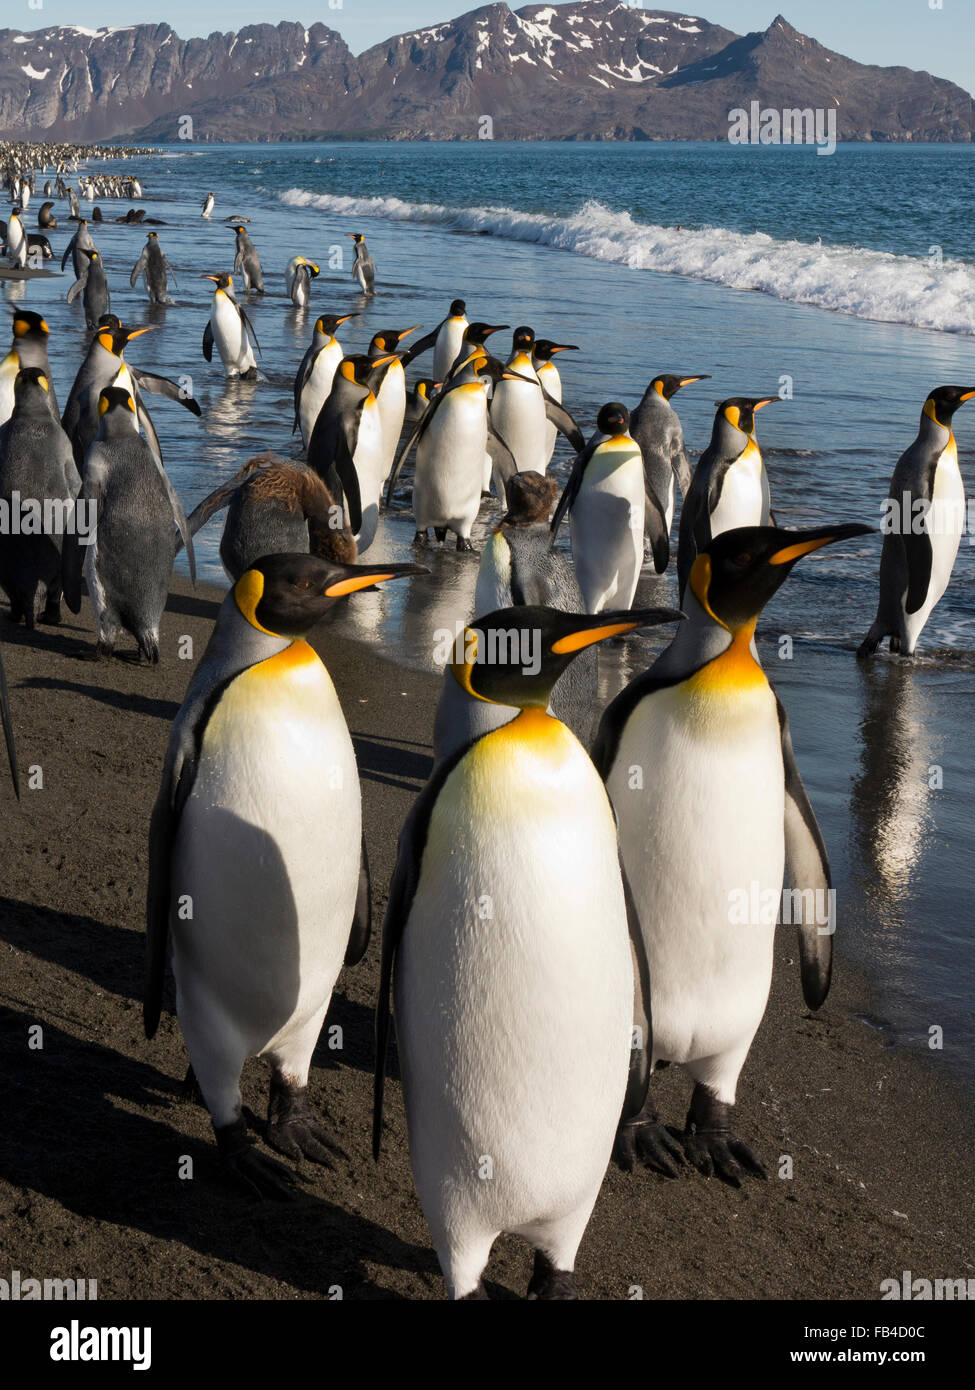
(80, 1131)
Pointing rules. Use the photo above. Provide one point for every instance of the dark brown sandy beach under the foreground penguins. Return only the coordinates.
(94, 1125)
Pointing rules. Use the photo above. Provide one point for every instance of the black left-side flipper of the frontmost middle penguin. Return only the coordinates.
(403, 890)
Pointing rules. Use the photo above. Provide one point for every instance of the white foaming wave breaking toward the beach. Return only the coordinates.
(852, 280)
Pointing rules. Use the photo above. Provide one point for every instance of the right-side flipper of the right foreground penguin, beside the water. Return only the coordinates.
(807, 869)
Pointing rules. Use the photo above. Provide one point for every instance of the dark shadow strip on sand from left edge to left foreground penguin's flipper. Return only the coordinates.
(109, 957)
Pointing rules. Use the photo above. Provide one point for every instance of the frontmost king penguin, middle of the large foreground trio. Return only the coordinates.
(508, 938)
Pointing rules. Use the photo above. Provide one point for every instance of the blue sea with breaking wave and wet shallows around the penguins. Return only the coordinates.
(848, 279)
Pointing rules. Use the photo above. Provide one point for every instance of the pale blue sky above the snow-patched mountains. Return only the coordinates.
(908, 33)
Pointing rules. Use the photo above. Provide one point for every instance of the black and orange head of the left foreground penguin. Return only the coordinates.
(286, 596)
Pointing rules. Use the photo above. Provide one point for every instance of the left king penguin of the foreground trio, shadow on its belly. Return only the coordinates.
(258, 825)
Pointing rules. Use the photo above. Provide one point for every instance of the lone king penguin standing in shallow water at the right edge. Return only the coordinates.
(923, 526)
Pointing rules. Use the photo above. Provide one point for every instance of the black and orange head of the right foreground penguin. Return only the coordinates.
(736, 576)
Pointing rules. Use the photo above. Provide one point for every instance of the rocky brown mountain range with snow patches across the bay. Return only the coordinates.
(596, 70)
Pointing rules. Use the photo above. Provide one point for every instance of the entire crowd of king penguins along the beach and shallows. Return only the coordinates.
(529, 1033)
